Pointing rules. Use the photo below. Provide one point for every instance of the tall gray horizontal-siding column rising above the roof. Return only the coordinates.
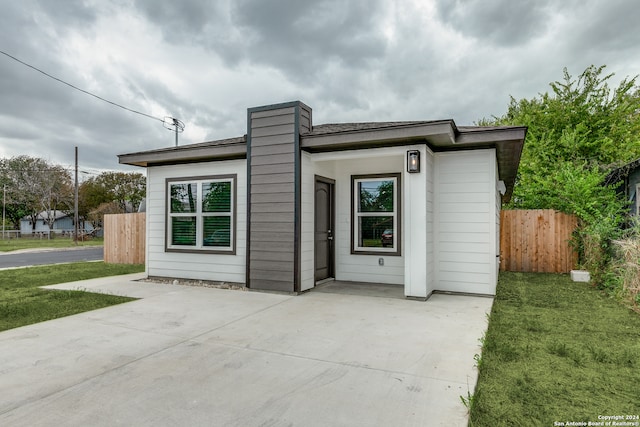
(273, 195)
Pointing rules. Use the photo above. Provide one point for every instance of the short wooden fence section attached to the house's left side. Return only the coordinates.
(124, 238)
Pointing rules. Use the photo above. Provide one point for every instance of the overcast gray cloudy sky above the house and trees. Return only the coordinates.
(207, 61)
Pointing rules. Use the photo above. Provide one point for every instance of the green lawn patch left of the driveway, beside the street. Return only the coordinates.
(23, 303)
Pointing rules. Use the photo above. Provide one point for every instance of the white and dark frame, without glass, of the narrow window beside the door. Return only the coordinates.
(356, 249)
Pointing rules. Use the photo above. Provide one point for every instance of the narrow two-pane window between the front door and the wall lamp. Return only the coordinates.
(375, 219)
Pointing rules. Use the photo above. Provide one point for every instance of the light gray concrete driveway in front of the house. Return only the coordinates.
(209, 357)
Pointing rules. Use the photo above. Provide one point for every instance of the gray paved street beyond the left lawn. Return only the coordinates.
(57, 256)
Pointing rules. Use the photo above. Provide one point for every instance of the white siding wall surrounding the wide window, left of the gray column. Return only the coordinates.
(216, 267)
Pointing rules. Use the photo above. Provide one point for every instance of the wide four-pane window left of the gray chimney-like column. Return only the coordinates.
(201, 214)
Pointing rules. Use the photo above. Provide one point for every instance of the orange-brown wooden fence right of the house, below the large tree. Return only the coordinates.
(537, 241)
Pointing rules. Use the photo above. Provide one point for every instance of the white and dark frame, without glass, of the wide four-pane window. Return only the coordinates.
(200, 215)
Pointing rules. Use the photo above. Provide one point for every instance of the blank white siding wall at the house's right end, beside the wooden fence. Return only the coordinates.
(465, 184)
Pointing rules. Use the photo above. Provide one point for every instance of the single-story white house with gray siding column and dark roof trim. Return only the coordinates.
(290, 204)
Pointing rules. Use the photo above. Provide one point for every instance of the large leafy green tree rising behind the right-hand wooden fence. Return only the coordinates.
(575, 135)
